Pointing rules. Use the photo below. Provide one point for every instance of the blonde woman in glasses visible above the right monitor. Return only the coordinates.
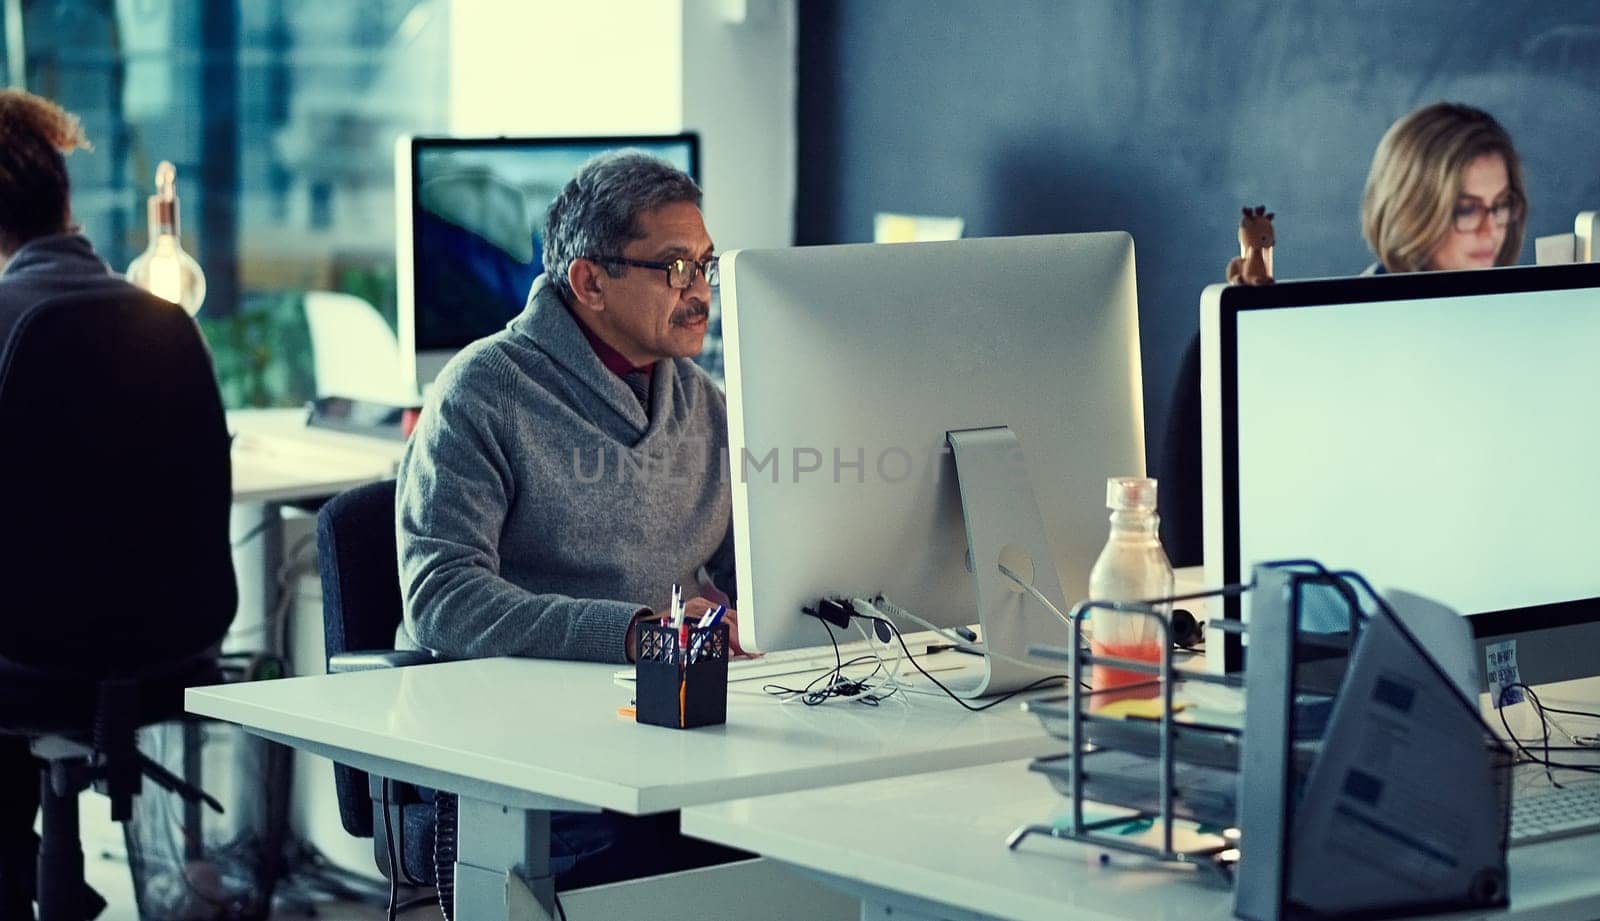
(1444, 193)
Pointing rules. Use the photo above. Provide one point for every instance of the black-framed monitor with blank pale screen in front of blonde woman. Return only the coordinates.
(1433, 433)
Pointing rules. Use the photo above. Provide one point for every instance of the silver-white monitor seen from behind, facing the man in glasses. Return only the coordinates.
(847, 369)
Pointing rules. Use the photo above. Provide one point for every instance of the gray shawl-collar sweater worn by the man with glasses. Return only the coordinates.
(540, 509)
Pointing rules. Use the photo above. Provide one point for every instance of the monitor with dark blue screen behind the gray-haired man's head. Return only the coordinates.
(471, 220)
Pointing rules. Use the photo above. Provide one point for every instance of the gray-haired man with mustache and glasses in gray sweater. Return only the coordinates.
(570, 469)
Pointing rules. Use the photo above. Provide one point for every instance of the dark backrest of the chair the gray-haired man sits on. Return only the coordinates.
(361, 602)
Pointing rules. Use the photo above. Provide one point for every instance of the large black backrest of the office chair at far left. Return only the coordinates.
(114, 487)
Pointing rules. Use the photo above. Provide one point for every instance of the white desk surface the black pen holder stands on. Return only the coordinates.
(551, 728)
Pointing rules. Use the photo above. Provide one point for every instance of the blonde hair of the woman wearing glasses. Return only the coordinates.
(1412, 189)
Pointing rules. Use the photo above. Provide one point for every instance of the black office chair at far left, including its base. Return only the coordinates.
(116, 568)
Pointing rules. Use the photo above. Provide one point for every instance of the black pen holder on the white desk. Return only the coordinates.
(682, 688)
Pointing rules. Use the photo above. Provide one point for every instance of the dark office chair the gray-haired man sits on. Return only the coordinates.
(362, 608)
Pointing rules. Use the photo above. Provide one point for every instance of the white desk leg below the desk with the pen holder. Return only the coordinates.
(503, 864)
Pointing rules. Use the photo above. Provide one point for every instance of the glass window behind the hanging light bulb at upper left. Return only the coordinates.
(281, 119)
